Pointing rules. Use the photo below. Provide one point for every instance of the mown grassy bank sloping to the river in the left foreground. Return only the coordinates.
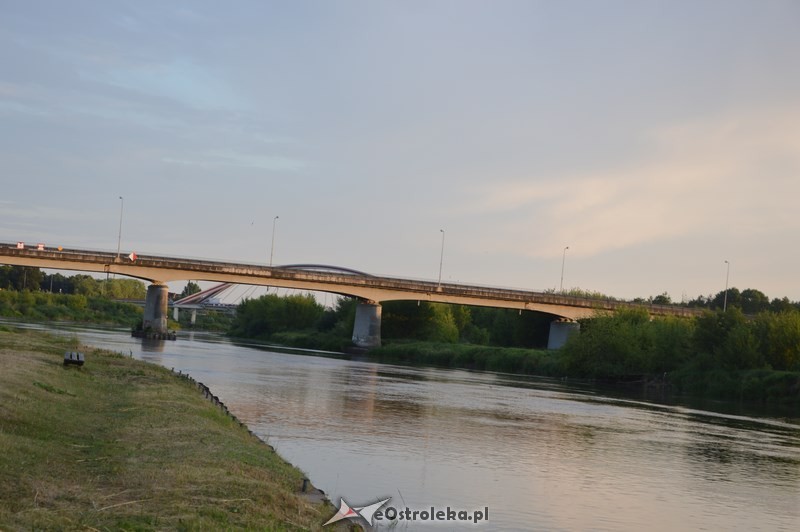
(121, 444)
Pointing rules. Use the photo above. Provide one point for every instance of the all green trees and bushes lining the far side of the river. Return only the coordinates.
(751, 351)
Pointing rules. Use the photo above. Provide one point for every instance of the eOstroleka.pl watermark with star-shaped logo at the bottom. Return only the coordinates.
(373, 512)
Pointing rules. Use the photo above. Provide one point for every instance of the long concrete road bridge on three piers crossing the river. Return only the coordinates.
(369, 289)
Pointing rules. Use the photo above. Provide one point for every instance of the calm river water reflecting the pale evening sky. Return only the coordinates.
(539, 454)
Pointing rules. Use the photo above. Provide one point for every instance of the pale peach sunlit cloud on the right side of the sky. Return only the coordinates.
(727, 175)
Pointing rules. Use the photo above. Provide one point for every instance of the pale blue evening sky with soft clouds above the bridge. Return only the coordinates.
(656, 140)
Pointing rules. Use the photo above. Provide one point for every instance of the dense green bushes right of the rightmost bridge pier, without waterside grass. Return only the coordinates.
(630, 343)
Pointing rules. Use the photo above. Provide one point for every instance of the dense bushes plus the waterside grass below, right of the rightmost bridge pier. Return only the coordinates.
(720, 354)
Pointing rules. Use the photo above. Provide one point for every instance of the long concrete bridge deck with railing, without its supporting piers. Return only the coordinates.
(374, 288)
